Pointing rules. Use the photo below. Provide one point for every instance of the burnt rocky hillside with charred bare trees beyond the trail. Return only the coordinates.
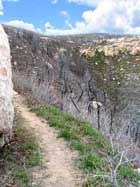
(98, 80)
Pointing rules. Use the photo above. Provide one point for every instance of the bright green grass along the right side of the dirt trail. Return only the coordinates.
(92, 146)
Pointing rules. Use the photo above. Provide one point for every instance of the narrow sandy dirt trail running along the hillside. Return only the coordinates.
(57, 168)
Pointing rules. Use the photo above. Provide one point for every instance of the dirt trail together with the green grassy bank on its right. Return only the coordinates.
(59, 167)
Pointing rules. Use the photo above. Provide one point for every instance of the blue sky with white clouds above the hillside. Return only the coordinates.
(73, 16)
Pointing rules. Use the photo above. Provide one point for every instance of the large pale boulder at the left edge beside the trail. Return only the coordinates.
(6, 90)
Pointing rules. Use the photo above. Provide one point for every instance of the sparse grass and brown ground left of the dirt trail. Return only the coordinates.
(20, 156)
